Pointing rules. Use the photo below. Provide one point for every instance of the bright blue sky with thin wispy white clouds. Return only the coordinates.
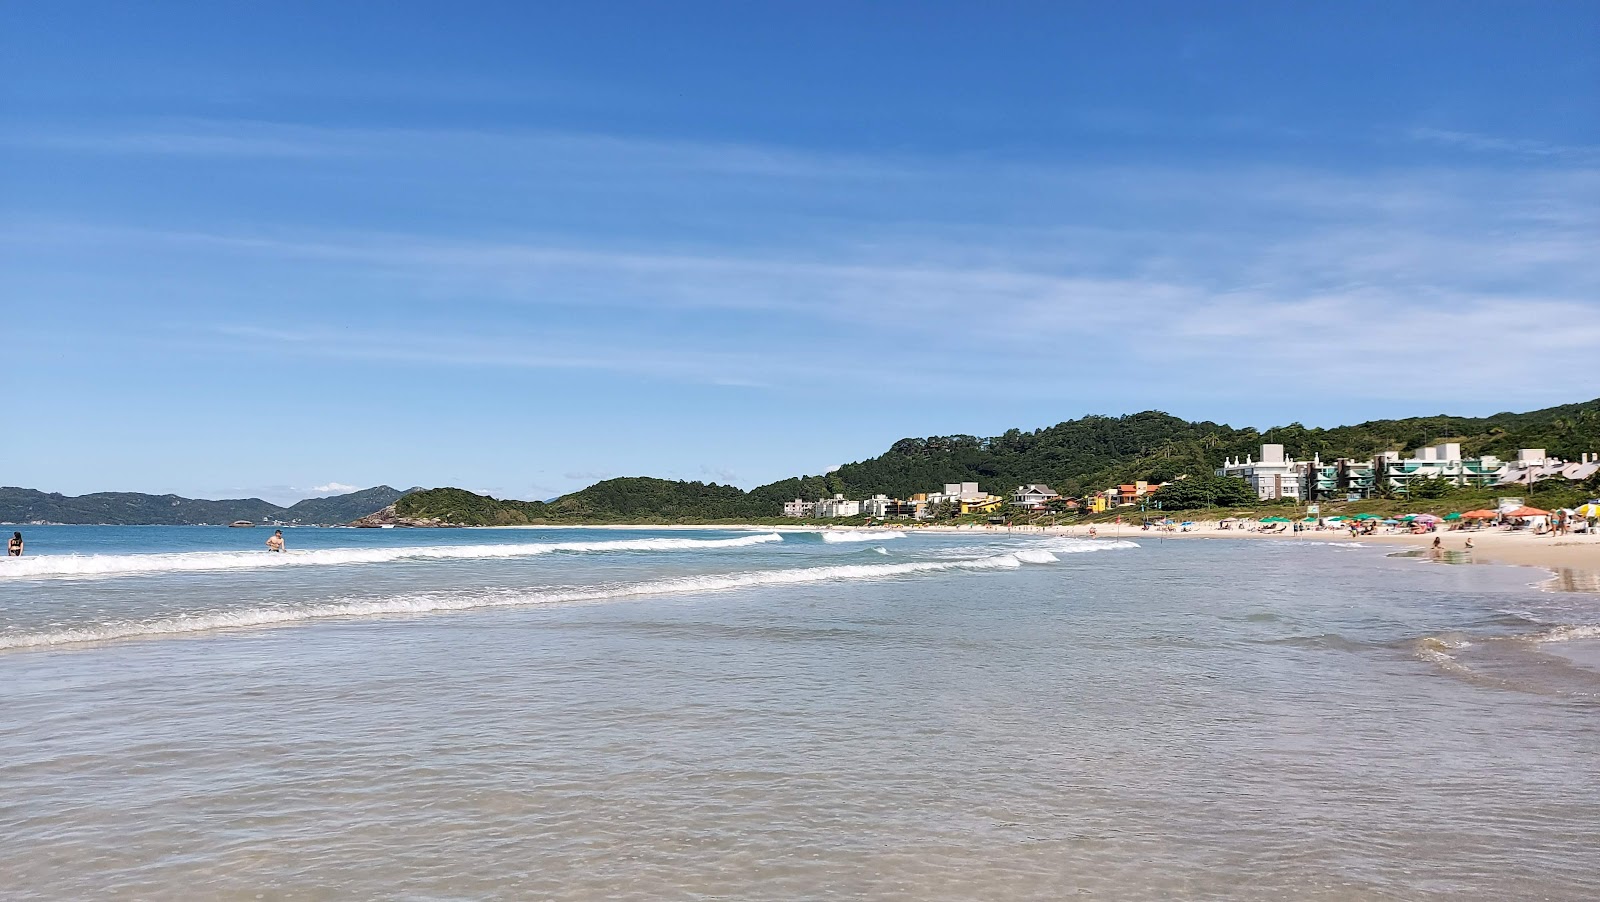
(274, 249)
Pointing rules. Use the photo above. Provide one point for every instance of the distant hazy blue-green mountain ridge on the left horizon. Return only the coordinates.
(137, 509)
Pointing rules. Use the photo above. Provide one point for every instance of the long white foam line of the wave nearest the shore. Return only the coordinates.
(500, 599)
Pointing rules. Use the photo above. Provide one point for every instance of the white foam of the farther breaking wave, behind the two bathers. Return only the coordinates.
(183, 562)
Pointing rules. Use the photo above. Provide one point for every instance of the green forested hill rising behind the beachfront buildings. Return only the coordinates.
(1074, 458)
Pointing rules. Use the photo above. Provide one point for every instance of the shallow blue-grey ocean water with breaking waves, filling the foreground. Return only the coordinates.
(604, 714)
